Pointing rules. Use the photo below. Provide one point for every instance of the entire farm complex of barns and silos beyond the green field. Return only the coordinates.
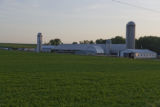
(122, 50)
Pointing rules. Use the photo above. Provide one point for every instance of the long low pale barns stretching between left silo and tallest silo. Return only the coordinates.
(86, 49)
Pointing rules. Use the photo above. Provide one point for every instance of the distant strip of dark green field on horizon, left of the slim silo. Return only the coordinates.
(14, 45)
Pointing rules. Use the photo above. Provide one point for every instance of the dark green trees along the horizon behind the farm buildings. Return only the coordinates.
(146, 42)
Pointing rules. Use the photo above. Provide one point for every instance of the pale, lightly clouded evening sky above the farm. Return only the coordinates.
(75, 20)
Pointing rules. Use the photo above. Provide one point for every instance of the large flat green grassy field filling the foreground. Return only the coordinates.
(51, 80)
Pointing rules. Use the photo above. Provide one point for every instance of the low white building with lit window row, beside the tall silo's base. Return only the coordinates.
(138, 53)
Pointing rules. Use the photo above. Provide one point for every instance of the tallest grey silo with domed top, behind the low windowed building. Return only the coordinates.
(130, 35)
